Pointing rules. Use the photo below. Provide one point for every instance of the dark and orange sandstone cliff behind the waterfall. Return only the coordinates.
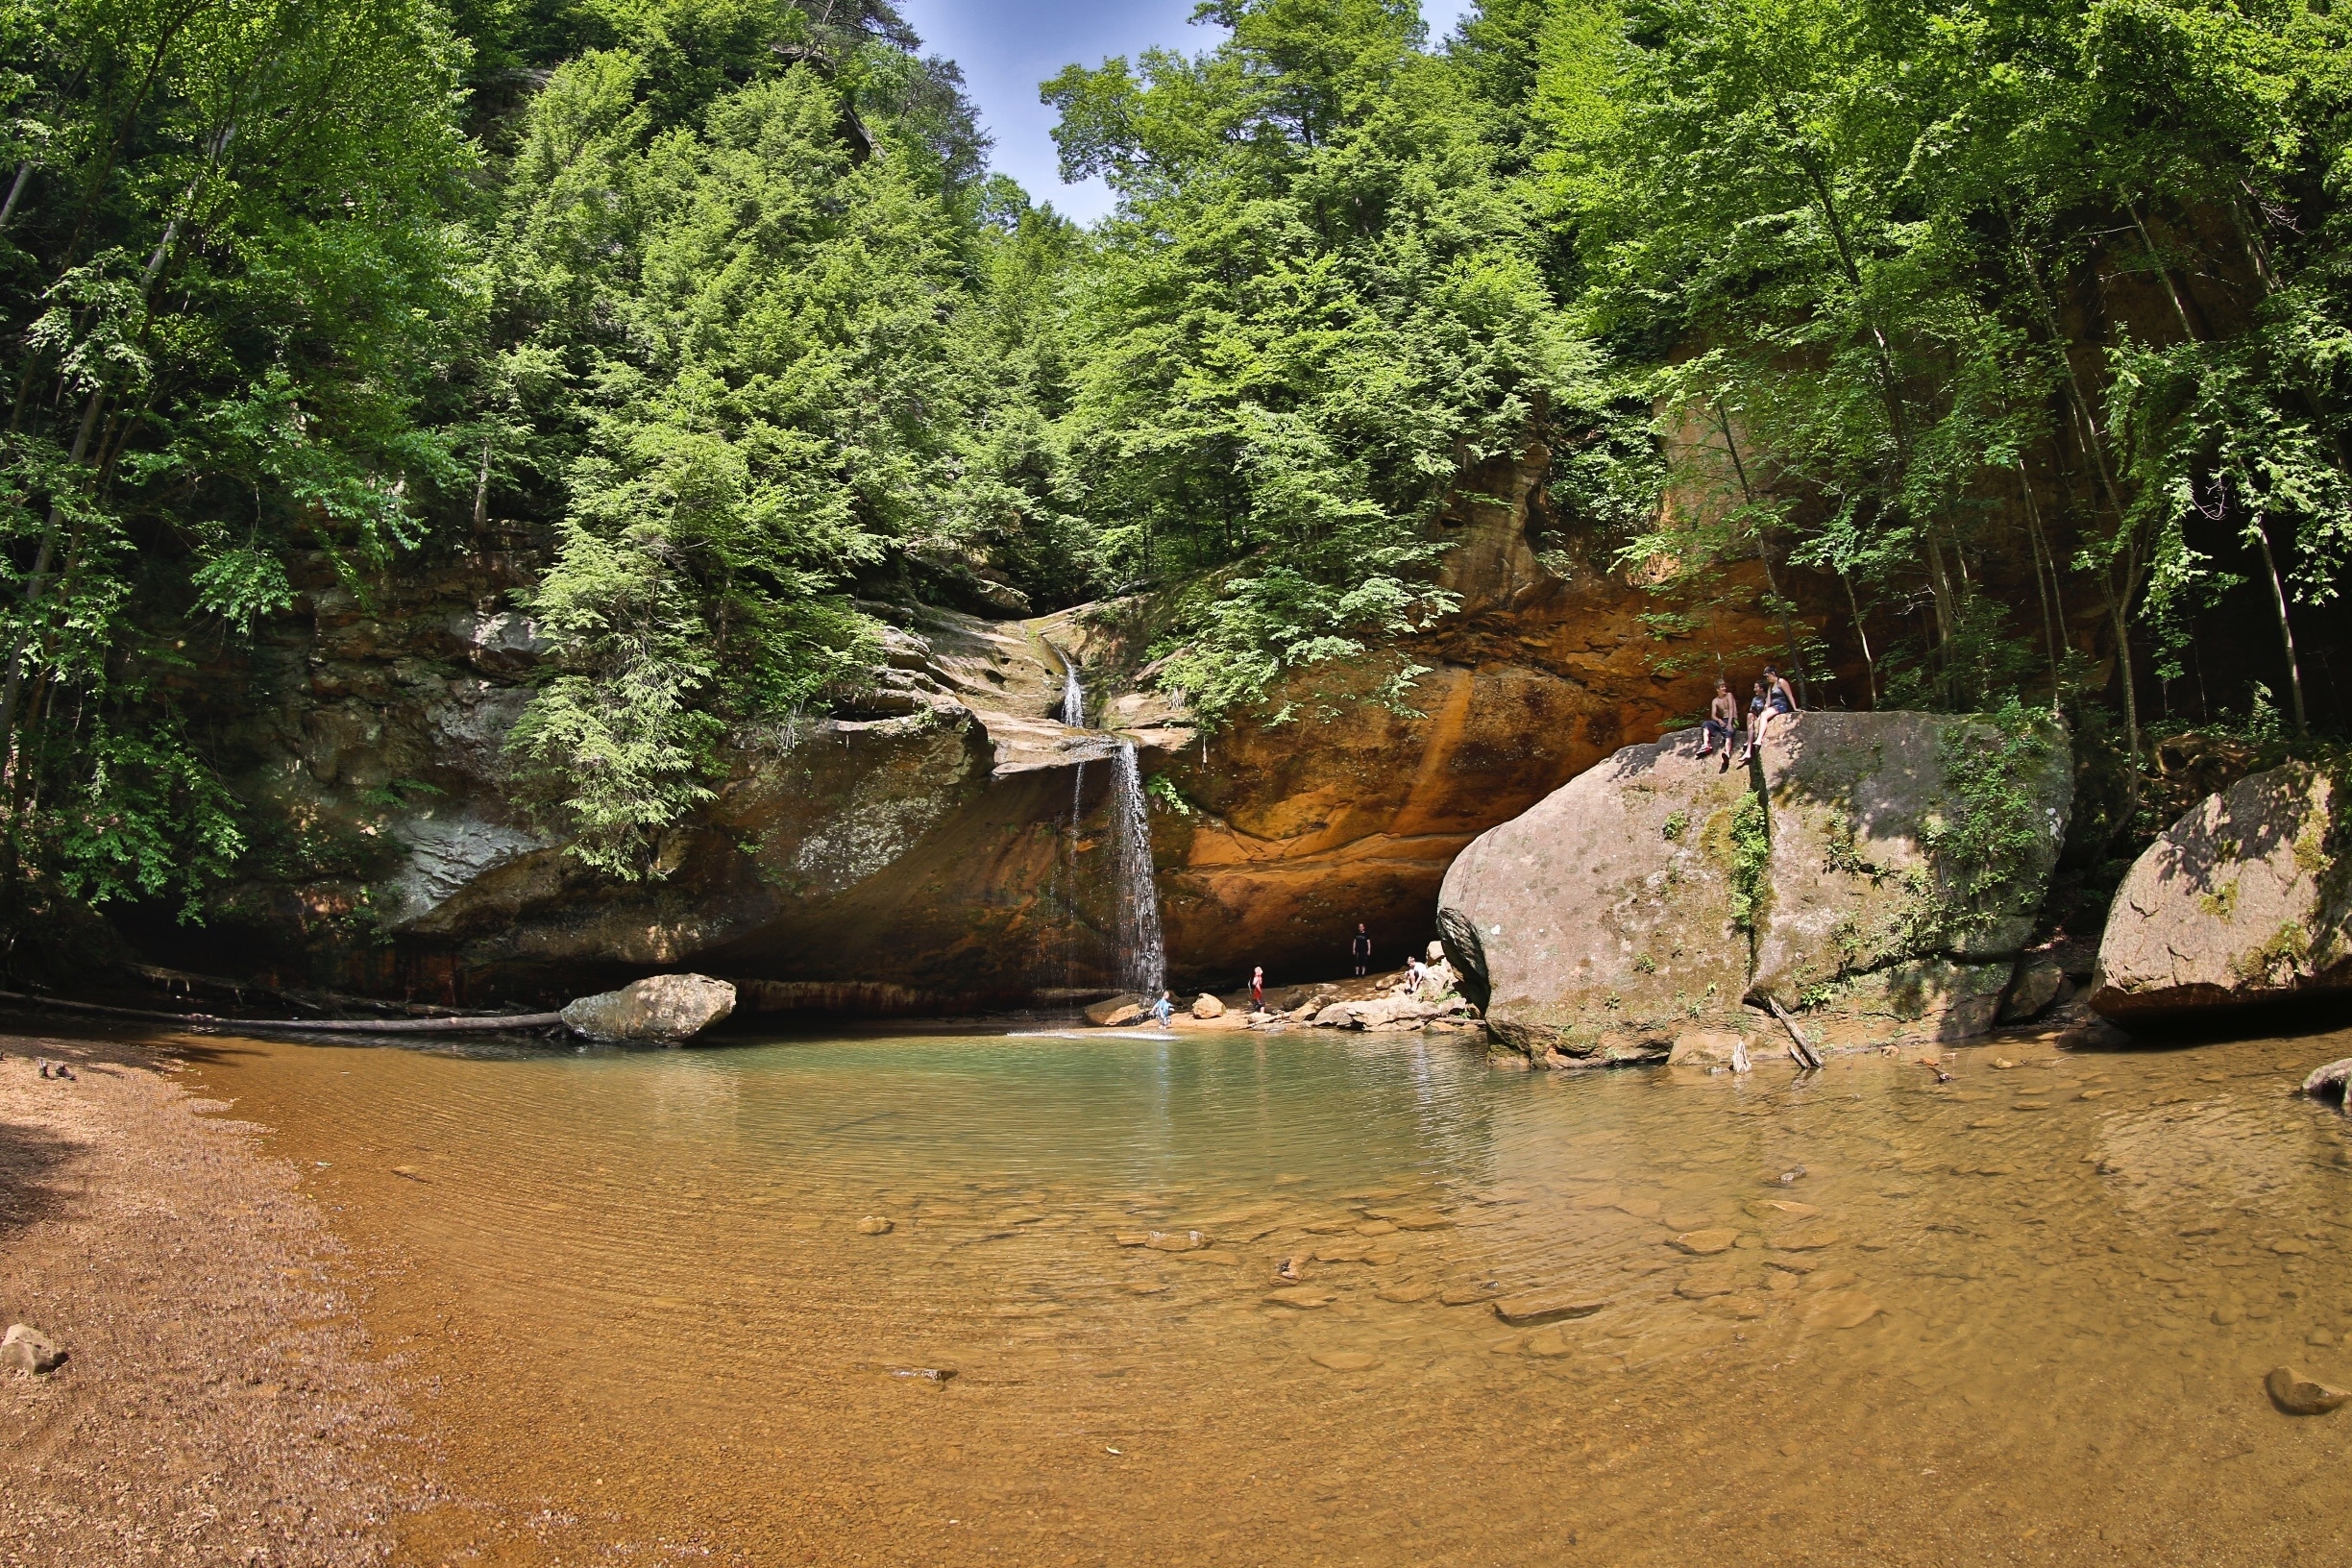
(942, 840)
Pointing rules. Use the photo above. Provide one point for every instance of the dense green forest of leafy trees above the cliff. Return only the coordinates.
(1986, 311)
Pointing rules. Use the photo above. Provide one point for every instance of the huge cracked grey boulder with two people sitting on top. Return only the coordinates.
(1878, 885)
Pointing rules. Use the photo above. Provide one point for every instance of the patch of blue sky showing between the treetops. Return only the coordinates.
(1010, 46)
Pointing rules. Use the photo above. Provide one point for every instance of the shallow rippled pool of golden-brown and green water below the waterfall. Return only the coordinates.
(1180, 1299)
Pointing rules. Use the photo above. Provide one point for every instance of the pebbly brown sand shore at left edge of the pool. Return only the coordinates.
(220, 1405)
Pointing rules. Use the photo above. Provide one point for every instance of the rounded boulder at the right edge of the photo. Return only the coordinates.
(2240, 902)
